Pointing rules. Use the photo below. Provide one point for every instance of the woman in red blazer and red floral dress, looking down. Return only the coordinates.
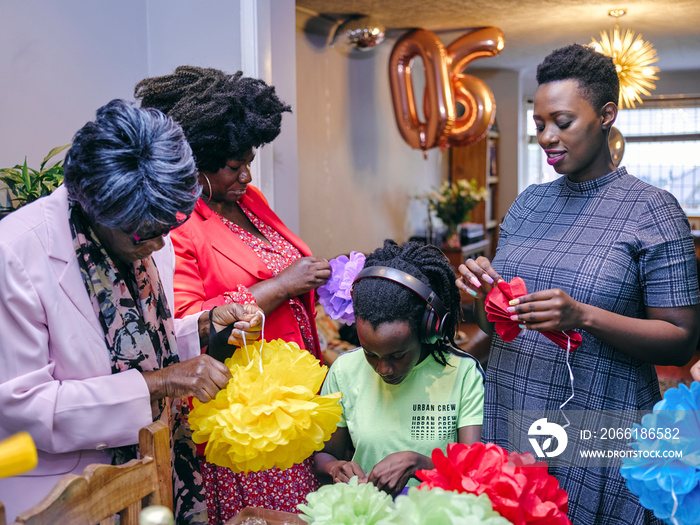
(234, 248)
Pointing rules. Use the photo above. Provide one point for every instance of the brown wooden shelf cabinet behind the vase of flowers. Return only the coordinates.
(480, 161)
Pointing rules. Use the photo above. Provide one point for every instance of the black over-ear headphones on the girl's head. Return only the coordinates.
(436, 318)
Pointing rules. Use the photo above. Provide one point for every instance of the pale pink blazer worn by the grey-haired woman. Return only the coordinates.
(56, 380)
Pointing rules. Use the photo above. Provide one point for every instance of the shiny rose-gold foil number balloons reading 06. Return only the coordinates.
(446, 87)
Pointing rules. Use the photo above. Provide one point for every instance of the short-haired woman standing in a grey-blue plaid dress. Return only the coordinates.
(602, 253)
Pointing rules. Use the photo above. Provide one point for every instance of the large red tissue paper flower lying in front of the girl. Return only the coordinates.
(520, 489)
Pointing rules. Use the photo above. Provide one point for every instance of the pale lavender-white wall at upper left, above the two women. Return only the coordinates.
(60, 61)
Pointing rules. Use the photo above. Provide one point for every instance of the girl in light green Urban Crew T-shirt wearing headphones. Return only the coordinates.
(407, 390)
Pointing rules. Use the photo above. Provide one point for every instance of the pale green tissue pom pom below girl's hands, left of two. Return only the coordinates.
(347, 504)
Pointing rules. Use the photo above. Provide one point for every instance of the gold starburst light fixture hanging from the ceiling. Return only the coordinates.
(633, 58)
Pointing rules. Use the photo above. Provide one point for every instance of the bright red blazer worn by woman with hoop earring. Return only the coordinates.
(212, 260)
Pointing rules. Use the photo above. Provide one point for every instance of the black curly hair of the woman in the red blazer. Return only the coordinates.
(223, 115)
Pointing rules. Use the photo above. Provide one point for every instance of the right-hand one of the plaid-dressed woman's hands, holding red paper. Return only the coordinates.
(551, 309)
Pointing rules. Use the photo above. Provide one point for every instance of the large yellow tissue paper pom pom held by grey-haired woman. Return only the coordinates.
(269, 418)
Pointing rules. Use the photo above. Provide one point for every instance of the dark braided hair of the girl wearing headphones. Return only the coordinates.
(382, 301)
